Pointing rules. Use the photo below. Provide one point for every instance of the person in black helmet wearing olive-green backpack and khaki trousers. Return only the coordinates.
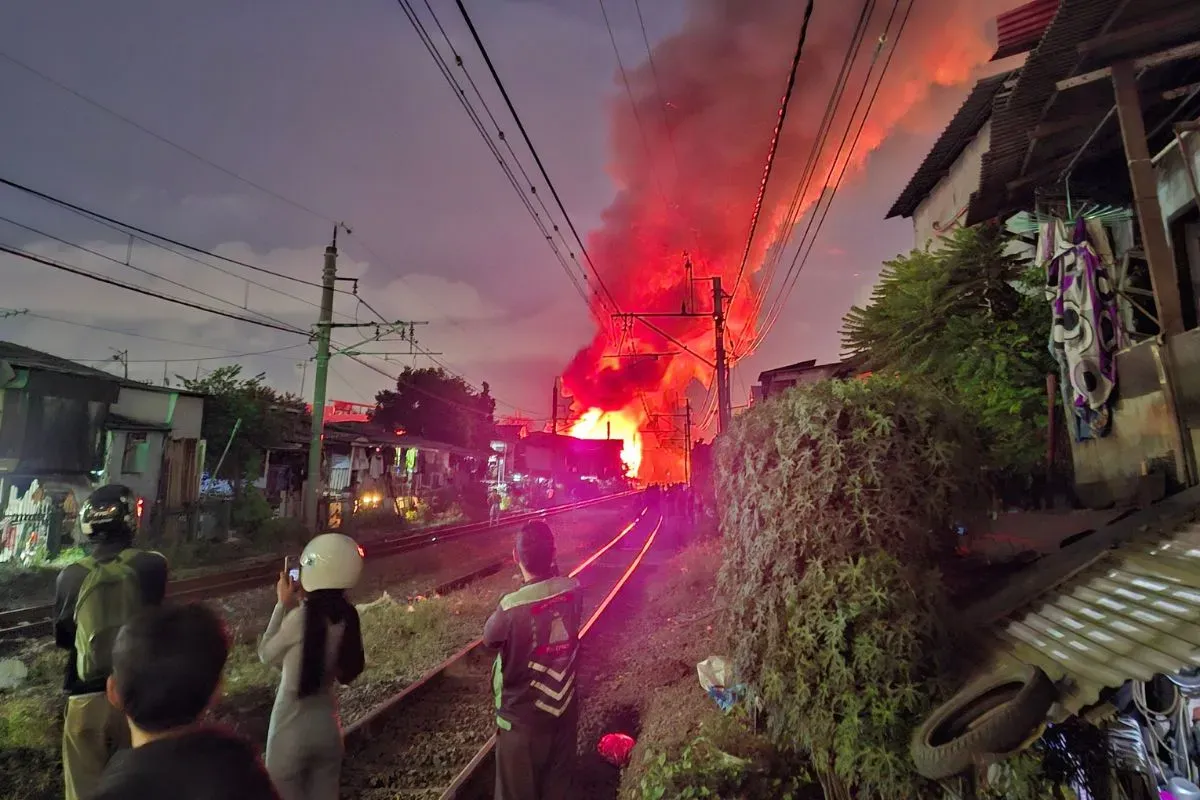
(93, 599)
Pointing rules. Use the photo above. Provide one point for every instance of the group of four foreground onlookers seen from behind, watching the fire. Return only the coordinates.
(141, 676)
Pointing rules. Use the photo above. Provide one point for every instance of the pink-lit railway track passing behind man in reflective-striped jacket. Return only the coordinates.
(434, 741)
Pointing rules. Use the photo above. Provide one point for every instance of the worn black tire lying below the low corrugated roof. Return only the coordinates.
(991, 715)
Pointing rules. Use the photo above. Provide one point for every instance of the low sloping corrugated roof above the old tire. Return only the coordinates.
(1121, 605)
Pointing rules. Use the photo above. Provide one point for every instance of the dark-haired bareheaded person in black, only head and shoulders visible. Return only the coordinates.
(167, 667)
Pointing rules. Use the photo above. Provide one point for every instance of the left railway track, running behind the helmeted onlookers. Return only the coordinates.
(38, 621)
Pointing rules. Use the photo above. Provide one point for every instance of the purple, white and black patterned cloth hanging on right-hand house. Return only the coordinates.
(1084, 334)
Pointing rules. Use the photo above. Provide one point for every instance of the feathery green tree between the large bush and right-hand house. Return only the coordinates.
(969, 320)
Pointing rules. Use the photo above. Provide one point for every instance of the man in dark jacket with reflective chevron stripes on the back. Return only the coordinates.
(537, 631)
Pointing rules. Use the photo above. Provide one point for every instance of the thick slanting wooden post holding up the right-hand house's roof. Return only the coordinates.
(1145, 196)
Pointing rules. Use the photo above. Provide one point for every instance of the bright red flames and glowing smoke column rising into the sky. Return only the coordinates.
(688, 159)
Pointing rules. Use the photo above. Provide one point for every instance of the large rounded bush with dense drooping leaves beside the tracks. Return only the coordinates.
(836, 502)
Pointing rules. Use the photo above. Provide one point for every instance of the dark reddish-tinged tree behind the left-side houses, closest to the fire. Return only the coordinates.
(434, 405)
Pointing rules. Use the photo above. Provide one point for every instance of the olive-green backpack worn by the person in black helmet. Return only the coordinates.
(110, 597)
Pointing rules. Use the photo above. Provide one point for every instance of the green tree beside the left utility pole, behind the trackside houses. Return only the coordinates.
(266, 416)
